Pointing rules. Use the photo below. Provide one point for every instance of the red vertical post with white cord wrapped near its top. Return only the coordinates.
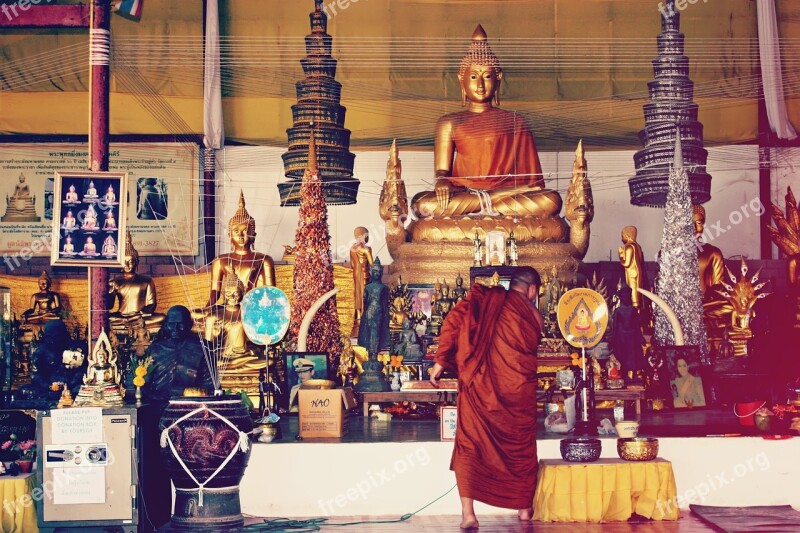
(99, 87)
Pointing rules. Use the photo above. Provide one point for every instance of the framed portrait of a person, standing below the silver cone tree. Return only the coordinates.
(683, 370)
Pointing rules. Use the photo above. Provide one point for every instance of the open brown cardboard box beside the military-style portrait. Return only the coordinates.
(323, 412)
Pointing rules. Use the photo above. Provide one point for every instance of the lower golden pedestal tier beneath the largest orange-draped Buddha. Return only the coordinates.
(424, 263)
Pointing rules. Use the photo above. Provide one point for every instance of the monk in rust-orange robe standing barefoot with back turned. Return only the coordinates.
(490, 339)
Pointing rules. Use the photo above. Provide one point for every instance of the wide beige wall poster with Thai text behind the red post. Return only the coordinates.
(162, 203)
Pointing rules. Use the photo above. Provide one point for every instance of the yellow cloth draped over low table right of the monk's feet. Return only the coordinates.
(608, 490)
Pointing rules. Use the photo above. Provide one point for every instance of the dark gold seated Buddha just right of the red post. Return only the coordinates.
(135, 295)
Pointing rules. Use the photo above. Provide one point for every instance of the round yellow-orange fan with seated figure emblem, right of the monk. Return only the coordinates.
(582, 317)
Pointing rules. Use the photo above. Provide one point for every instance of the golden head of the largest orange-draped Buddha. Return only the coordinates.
(480, 72)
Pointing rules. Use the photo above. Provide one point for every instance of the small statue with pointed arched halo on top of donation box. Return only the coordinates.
(101, 384)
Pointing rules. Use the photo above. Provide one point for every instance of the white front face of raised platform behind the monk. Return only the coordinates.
(308, 479)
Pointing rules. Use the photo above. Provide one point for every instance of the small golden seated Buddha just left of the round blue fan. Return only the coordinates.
(225, 332)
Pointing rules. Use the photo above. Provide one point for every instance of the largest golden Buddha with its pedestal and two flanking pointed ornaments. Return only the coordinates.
(488, 177)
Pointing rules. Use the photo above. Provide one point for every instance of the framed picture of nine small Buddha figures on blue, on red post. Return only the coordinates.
(89, 218)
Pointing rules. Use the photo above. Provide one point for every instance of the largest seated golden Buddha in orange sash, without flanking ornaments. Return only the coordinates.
(486, 164)
